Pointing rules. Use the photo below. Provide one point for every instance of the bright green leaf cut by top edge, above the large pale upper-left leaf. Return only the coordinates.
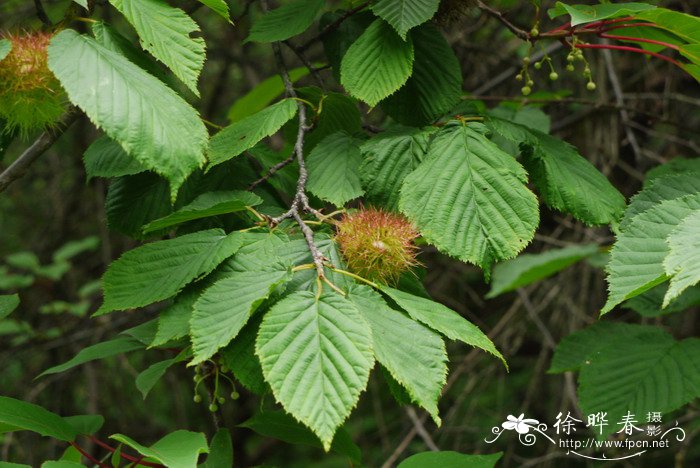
(165, 31)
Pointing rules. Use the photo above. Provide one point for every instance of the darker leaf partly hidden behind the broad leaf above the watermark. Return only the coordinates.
(575, 349)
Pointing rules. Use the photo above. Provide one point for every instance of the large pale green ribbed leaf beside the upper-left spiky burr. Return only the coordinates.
(164, 134)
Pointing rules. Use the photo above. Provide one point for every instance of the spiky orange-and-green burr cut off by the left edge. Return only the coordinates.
(31, 97)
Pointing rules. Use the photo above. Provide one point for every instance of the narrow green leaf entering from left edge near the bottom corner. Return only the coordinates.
(27, 416)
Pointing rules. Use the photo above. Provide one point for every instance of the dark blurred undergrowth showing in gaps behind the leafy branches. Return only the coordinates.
(55, 245)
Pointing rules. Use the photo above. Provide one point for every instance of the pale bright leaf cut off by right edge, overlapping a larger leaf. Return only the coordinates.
(683, 261)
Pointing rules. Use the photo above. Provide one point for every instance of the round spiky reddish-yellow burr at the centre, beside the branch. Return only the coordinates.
(377, 245)
